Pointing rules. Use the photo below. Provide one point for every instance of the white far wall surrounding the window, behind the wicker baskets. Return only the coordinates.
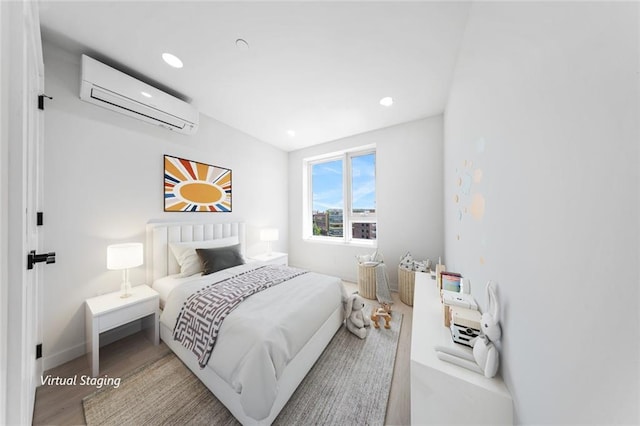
(409, 189)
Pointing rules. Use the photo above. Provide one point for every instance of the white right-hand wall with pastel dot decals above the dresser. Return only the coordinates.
(552, 89)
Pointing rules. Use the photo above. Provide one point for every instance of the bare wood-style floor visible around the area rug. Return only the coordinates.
(62, 405)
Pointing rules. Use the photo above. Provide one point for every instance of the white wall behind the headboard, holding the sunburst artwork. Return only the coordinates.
(104, 182)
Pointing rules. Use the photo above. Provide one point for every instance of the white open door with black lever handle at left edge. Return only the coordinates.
(22, 49)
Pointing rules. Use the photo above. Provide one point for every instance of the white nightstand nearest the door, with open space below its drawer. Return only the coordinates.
(106, 312)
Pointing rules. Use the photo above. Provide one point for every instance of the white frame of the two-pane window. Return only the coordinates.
(348, 216)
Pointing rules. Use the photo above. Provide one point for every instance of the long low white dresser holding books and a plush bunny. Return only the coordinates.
(443, 393)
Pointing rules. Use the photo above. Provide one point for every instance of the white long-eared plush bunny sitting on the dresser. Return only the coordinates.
(484, 358)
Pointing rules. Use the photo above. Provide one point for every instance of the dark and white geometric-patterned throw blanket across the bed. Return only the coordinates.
(202, 314)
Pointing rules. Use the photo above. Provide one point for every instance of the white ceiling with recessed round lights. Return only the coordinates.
(317, 68)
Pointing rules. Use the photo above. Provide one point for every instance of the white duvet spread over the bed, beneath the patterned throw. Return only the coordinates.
(264, 333)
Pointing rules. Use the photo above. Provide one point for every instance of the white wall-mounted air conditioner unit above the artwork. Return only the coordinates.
(117, 91)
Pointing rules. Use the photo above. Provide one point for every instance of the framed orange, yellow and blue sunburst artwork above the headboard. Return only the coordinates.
(190, 186)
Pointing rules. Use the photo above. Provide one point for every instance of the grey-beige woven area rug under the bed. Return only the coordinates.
(349, 384)
